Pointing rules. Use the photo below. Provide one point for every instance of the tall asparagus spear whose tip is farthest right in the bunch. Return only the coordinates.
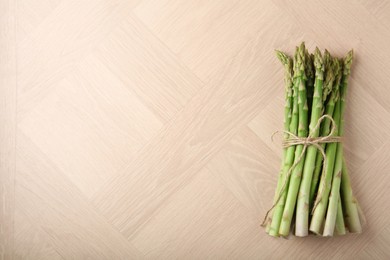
(335, 191)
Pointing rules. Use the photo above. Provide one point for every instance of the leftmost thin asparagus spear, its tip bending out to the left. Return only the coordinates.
(287, 63)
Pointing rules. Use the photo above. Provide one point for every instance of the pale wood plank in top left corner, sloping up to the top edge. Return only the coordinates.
(72, 31)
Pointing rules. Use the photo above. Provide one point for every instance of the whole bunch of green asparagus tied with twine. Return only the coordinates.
(314, 190)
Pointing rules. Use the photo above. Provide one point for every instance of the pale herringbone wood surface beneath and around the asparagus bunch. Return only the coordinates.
(141, 129)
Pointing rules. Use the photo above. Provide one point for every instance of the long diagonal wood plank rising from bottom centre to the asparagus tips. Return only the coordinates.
(183, 147)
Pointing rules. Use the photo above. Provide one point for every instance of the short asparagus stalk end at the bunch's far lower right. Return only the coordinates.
(349, 203)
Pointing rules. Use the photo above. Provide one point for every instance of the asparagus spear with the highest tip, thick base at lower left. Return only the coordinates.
(295, 179)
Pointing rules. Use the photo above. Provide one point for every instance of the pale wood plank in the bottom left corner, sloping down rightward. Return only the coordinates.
(74, 229)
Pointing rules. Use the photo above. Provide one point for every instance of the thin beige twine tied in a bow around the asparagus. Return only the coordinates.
(306, 141)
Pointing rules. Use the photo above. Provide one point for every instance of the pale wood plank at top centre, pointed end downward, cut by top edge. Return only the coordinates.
(205, 35)
